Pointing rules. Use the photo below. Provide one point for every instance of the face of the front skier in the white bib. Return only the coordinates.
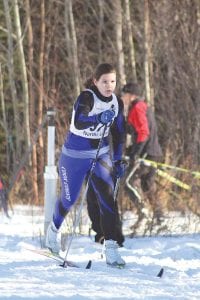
(106, 84)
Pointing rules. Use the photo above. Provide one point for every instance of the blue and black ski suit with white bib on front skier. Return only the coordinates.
(79, 151)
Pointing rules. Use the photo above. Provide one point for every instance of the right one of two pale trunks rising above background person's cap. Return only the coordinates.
(132, 60)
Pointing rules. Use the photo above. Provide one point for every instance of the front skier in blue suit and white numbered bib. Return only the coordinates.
(97, 113)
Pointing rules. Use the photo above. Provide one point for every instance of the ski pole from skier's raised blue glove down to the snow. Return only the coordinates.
(77, 219)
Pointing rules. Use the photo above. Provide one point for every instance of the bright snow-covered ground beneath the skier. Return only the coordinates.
(28, 275)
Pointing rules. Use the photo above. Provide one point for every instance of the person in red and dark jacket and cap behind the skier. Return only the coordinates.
(141, 126)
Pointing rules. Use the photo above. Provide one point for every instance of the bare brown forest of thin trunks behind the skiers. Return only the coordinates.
(48, 48)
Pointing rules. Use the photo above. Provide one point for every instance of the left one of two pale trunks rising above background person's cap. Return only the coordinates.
(119, 43)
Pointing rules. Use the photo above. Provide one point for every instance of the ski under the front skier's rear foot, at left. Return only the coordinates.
(62, 262)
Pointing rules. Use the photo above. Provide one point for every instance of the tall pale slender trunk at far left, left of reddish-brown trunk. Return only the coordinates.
(23, 72)
